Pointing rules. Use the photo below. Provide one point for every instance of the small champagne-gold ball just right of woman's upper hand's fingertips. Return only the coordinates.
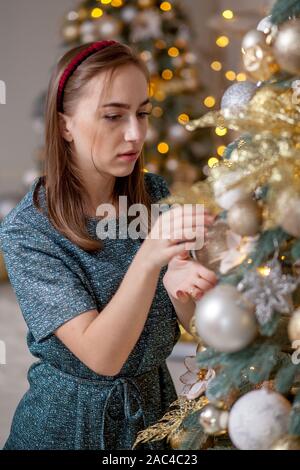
(245, 217)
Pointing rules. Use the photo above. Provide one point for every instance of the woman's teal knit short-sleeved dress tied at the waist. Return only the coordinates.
(67, 405)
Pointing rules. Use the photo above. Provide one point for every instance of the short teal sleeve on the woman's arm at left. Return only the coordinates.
(48, 291)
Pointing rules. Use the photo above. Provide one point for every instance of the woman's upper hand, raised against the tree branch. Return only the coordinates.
(174, 232)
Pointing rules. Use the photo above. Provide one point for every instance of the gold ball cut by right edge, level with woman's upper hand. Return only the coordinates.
(288, 211)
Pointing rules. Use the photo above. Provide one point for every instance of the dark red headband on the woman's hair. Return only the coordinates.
(75, 62)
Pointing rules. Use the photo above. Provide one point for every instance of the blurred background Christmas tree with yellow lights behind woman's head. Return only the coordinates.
(159, 31)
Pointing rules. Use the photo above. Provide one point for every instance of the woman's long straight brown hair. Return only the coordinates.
(64, 187)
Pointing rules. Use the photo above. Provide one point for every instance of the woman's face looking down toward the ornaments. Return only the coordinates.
(116, 126)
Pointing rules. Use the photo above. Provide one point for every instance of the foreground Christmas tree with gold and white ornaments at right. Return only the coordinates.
(242, 390)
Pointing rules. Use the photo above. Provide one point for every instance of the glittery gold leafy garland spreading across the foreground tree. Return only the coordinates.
(271, 157)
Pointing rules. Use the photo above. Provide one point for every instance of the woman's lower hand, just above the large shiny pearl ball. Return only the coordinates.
(187, 278)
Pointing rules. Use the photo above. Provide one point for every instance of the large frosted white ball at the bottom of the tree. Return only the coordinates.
(258, 419)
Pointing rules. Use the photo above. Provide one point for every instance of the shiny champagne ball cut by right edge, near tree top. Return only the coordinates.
(286, 47)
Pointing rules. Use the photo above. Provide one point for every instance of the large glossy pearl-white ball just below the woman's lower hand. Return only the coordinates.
(225, 319)
